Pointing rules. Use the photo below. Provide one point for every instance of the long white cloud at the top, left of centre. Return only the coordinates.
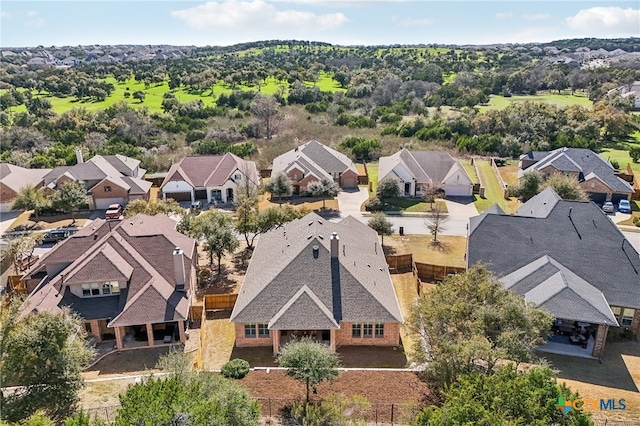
(256, 15)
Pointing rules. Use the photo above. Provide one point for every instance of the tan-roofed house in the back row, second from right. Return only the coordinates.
(419, 171)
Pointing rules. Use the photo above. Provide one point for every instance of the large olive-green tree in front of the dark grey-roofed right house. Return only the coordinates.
(469, 322)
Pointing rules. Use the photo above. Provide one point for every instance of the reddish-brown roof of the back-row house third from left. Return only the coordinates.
(210, 170)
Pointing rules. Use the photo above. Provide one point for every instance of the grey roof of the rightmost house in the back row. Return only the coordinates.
(584, 161)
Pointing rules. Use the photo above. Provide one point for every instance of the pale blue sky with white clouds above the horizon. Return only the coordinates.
(350, 22)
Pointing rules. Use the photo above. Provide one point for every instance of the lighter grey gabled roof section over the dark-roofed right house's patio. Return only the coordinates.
(551, 286)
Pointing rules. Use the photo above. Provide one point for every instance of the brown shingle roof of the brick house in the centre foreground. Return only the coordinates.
(288, 282)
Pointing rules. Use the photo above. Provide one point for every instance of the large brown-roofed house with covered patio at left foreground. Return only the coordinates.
(129, 280)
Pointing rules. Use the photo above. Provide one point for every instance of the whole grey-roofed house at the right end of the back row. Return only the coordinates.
(595, 174)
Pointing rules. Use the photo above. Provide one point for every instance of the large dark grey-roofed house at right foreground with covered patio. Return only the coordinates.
(566, 257)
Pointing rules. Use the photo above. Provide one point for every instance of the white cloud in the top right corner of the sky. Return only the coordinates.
(610, 20)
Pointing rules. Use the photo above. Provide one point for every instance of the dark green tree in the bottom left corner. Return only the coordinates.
(44, 353)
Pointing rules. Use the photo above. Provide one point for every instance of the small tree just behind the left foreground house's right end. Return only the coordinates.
(217, 231)
